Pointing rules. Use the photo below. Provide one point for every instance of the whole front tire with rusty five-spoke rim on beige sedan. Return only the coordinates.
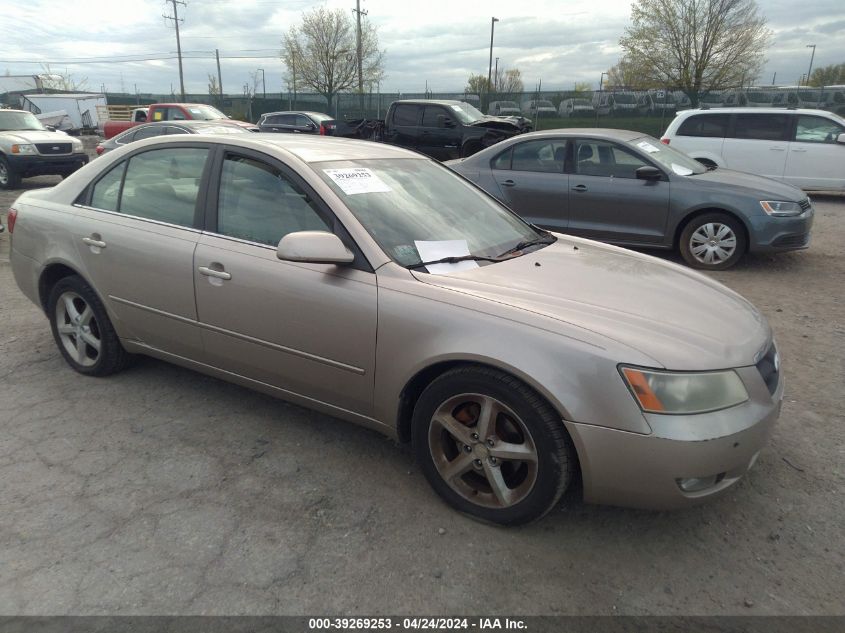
(492, 447)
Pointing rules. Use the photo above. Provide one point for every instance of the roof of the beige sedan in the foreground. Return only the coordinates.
(307, 148)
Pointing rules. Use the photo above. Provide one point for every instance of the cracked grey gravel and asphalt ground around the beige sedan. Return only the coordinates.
(163, 491)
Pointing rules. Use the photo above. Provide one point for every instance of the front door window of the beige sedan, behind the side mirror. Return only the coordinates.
(258, 203)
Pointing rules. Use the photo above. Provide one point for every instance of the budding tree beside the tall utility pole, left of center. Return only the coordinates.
(321, 53)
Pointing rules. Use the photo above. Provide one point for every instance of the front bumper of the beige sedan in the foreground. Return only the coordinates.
(645, 471)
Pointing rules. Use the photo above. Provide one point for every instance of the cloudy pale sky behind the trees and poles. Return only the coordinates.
(557, 42)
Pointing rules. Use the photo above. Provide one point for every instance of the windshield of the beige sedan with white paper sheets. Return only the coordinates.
(411, 207)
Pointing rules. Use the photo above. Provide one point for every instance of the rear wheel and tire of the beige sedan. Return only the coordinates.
(82, 329)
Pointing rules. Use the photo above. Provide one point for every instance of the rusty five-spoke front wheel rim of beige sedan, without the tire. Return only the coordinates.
(483, 450)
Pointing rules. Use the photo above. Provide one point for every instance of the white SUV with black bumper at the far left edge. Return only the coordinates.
(28, 149)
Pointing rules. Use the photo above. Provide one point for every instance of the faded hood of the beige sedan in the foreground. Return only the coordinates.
(678, 317)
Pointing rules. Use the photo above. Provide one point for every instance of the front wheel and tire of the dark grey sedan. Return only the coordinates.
(713, 241)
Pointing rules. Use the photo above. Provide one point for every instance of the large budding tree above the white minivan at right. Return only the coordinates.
(696, 45)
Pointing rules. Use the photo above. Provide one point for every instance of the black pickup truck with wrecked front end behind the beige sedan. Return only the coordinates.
(440, 128)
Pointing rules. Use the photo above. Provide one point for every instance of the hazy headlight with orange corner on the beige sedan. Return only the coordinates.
(681, 392)
